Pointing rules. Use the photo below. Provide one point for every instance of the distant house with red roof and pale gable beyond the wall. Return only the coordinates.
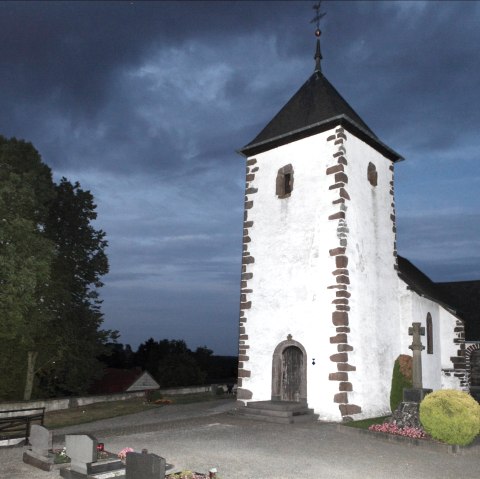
(124, 380)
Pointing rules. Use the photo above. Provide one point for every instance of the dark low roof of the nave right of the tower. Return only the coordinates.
(462, 297)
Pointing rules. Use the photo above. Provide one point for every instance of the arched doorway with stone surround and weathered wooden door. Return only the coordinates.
(289, 372)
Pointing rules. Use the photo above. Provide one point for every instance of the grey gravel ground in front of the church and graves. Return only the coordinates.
(204, 435)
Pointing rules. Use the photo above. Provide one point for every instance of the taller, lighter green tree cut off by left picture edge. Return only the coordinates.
(26, 189)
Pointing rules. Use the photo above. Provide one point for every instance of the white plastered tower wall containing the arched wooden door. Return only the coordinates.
(290, 241)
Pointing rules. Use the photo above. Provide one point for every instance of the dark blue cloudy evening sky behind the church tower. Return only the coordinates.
(145, 104)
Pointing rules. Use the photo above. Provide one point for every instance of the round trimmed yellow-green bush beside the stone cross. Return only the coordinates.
(450, 416)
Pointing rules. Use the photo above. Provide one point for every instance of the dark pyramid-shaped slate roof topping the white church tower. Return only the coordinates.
(317, 106)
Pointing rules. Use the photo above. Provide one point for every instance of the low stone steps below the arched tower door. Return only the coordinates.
(283, 412)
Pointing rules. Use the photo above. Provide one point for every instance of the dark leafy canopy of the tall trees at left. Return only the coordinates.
(51, 263)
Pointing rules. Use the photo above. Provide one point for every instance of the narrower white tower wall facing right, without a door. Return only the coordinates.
(375, 312)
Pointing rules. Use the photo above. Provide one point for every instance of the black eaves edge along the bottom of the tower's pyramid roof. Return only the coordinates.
(320, 127)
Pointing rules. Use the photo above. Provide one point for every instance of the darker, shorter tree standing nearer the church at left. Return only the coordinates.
(78, 265)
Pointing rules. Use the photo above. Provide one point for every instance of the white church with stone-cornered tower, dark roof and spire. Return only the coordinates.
(326, 303)
